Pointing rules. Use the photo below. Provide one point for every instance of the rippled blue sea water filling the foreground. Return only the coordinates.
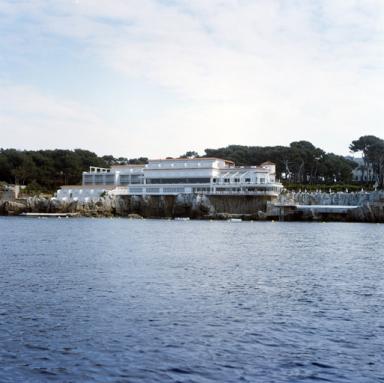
(116, 300)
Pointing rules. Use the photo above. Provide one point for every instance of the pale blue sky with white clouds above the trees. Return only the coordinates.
(157, 78)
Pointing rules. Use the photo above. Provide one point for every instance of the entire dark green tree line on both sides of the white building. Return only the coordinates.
(299, 163)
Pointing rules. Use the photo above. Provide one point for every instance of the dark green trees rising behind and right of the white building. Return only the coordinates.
(303, 163)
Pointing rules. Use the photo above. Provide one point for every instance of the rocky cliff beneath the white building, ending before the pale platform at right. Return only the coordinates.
(185, 205)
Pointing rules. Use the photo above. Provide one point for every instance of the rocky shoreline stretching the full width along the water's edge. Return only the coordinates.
(370, 207)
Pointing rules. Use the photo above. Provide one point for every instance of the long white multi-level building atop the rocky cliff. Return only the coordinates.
(176, 176)
